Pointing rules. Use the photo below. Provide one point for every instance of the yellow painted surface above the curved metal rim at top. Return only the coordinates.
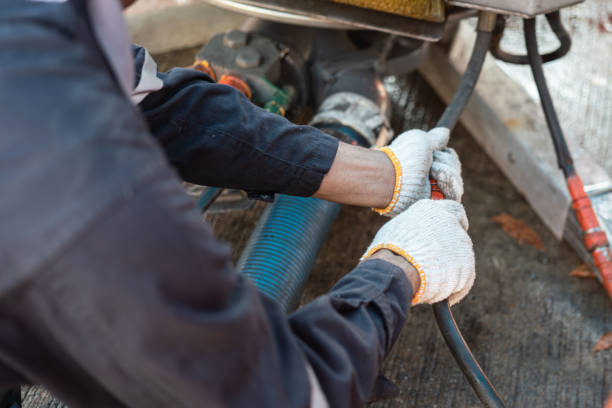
(431, 10)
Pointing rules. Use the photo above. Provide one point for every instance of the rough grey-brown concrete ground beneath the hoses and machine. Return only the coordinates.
(531, 326)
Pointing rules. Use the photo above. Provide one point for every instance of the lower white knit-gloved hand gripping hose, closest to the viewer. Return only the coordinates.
(432, 236)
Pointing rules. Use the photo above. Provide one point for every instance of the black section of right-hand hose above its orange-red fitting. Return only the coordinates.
(535, 61)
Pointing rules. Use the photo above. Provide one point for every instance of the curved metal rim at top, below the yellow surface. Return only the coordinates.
(325, 13)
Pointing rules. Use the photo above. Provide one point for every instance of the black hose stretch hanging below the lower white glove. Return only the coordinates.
(464, 357)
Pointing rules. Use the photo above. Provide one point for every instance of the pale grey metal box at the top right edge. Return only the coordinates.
(524, 8)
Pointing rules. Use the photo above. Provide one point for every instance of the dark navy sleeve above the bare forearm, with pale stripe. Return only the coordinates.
(213, 135)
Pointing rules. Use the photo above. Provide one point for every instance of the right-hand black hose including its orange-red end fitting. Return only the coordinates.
(595, 239)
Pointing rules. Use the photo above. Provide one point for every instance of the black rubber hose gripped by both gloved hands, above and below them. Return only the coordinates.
(444, 317)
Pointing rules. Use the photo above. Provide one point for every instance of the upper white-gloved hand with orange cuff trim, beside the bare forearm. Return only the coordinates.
(416, 155)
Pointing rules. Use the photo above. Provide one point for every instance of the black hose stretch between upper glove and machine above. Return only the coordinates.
(468, 81)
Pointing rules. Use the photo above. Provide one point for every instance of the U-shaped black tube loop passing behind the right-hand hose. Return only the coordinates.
(554, 20)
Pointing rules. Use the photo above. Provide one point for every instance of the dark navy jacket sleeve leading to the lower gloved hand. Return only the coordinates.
(346, 334)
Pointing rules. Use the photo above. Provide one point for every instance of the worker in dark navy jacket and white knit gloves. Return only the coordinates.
(114, 293)
